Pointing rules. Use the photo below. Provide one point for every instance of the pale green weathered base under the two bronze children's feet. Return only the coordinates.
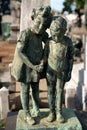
(72, 123)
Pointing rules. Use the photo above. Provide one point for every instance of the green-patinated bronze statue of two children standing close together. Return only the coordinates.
(30, 58)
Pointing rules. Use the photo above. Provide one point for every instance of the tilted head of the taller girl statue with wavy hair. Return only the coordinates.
(41, 17)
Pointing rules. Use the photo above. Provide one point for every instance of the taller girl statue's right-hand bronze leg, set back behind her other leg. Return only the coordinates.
(35, 98)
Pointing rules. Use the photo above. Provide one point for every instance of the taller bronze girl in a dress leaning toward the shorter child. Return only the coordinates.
(28, 59)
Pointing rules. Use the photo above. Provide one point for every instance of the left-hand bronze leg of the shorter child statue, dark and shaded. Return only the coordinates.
(51, 100)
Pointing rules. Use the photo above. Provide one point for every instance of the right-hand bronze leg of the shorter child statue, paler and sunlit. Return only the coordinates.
(59, 98)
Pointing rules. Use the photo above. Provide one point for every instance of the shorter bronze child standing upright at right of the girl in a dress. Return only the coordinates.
(59, 55)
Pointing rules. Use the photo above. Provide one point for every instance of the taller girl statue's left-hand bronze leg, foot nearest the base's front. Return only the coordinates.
(25, 103)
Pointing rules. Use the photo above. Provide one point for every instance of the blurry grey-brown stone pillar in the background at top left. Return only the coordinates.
(15, 25)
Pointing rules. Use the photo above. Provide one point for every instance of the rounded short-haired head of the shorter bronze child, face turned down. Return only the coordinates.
(58, 28)
